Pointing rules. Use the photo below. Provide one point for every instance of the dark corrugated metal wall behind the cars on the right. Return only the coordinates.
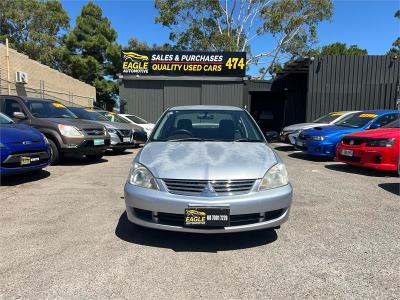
(339, 82)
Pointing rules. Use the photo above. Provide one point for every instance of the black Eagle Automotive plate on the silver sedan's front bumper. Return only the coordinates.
(207, 216)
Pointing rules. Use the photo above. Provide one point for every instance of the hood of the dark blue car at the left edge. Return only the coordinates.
(14, 133)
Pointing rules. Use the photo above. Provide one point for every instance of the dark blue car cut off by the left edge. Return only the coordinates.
(22, 148)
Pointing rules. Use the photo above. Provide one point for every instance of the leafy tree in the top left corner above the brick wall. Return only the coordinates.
(34, 28)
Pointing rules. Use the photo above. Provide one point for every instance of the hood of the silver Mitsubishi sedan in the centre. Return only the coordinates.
(207, 160)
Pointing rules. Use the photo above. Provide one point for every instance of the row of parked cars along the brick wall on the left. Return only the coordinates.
(37, 132)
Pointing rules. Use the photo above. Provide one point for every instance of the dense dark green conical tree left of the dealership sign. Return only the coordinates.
(92, 54)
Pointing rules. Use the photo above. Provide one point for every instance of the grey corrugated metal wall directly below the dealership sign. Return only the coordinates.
(149, 98)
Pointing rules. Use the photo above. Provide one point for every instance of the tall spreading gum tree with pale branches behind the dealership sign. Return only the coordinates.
(223, 25)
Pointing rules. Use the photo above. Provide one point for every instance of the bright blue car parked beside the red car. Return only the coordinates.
(322, 141)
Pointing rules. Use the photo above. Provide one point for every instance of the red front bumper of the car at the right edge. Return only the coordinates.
(378, 158)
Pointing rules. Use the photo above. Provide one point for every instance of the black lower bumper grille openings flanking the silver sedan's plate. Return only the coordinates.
(178, 219)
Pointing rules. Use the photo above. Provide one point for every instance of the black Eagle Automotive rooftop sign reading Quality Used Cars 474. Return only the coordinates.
(178, 63)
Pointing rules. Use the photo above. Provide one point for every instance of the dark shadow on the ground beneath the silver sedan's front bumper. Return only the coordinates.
(189, 242)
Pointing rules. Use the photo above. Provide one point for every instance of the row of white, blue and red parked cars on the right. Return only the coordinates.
(364, 138)
